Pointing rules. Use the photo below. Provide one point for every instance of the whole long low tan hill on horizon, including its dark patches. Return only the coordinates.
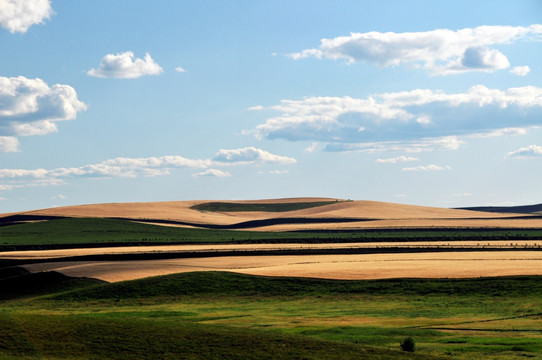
(286, 215)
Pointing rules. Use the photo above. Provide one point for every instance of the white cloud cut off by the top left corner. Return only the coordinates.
(19, 15)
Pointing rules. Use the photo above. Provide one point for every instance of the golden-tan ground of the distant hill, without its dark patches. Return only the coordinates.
(383, 215)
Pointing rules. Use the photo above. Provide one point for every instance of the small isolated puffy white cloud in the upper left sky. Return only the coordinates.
(123, 66)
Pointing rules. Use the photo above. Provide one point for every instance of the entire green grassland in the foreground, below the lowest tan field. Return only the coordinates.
(215, 315)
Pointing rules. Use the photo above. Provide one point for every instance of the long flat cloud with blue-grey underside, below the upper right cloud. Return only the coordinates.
(394, 118)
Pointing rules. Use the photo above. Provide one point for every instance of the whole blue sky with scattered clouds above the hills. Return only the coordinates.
(434, 103)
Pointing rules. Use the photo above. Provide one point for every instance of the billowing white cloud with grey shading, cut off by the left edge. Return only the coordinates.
(31, 107)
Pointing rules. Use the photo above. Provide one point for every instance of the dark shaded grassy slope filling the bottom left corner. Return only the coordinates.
(87, 337)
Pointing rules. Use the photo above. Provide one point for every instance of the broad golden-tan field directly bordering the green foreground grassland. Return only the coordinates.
(375, 266)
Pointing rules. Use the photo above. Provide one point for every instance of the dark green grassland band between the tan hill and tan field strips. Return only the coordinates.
(108, 232)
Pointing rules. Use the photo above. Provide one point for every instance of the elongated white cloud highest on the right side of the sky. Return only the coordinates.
(441, 51)
